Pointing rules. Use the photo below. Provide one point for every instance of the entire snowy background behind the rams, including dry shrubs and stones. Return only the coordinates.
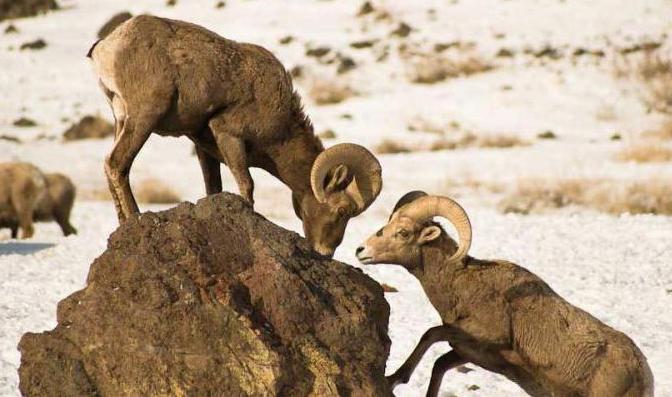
(550, 121)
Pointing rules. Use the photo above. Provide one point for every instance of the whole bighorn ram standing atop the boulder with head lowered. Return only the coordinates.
(236, 102)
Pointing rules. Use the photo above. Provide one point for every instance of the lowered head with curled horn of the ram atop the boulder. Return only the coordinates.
(345, 180)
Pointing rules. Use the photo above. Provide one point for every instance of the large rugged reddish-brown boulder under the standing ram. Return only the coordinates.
(212, 299)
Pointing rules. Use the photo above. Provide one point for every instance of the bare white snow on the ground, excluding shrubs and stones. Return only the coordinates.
(616, 267)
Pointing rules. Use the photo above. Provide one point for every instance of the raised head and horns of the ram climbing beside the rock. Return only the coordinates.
(410, 227)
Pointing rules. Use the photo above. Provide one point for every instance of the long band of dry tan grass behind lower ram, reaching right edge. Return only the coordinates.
(652, 196)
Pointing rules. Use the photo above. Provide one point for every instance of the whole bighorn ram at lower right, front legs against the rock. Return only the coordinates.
(500, 316)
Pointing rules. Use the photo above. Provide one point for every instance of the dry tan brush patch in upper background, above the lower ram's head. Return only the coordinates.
(430, 68)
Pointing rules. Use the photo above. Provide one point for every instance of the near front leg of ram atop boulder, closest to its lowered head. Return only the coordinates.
(233, 151)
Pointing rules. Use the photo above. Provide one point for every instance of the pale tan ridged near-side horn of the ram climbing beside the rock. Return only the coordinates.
(427, 207)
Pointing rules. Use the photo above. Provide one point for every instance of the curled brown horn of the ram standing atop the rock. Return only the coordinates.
(362, 165)
